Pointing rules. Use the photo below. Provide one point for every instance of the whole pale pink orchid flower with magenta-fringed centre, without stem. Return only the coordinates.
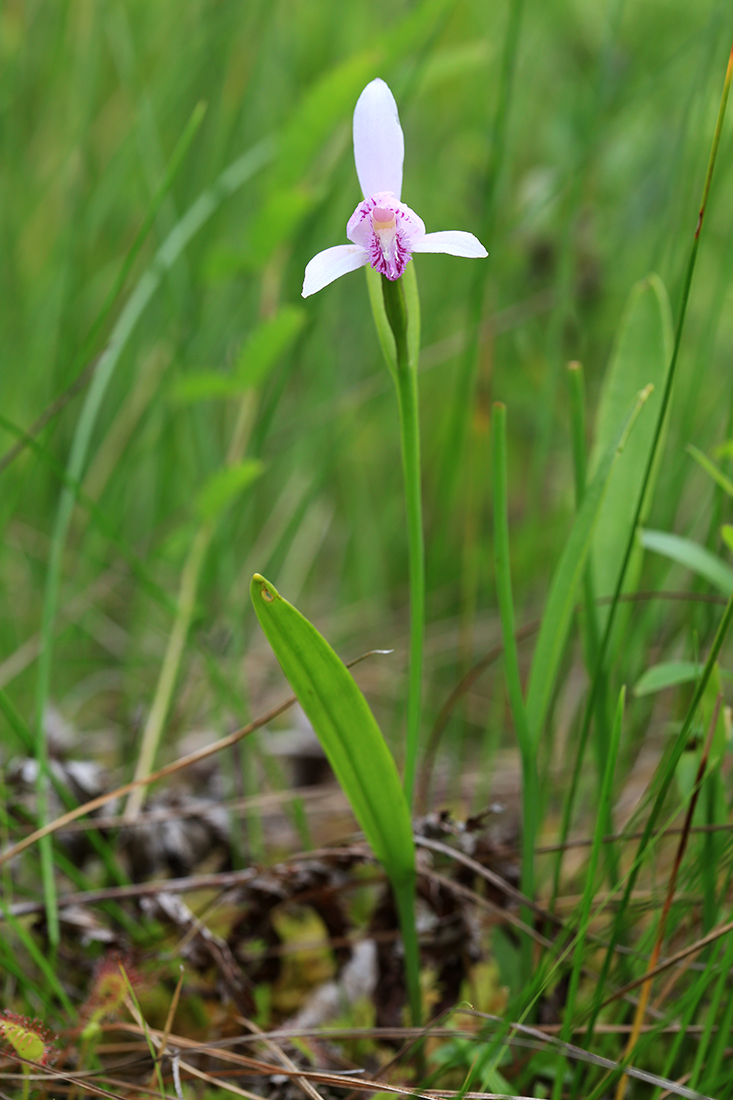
(385, 232)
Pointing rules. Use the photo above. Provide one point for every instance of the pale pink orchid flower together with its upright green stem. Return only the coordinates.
(385, 234)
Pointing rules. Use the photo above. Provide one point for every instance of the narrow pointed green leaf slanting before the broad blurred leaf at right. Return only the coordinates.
(563, 595)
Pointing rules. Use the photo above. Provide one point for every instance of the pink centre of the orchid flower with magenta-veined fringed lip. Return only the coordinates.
(388, 230)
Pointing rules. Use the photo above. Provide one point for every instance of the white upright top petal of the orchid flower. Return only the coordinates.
(379, 146)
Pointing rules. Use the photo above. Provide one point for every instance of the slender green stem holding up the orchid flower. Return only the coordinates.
(406, 377)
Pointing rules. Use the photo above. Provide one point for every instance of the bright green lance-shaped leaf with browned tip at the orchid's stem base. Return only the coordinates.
(345, 727)
